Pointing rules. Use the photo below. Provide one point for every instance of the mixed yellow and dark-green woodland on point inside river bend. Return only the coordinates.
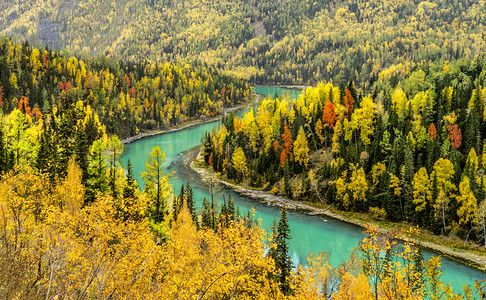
(414, 150)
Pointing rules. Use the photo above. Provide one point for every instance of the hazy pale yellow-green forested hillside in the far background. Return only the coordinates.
(285, 42)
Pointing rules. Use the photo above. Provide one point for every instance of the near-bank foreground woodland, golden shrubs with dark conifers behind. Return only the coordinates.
(75, 225)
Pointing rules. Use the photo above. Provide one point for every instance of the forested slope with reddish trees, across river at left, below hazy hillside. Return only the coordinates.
(127, 97)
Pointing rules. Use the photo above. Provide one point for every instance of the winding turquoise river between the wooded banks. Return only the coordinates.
(309, 233)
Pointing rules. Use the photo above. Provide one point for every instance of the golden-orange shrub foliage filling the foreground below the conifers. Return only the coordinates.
(53, 246)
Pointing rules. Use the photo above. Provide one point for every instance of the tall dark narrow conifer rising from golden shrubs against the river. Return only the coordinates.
(283, 263)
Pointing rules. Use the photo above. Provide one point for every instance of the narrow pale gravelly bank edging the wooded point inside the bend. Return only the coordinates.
(195, 162)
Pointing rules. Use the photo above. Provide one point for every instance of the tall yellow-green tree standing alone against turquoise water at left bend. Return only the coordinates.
(157, 186)
